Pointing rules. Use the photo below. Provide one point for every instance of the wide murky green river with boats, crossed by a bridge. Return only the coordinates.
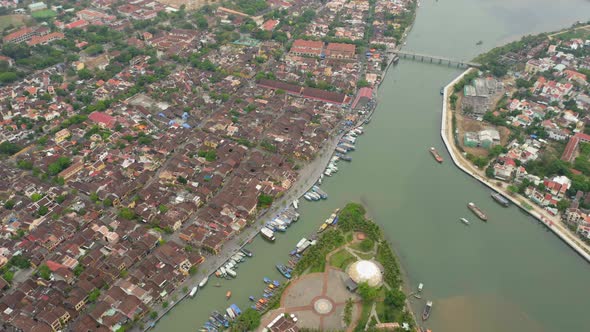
(510, 274)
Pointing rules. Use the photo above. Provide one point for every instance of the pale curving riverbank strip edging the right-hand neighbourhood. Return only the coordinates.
(552, 222)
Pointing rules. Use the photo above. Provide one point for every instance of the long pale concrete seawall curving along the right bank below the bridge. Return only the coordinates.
(447, 135)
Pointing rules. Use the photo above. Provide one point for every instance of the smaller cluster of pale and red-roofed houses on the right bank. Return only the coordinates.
(544, 101)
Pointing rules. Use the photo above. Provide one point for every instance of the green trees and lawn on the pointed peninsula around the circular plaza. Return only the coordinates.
(338, 248)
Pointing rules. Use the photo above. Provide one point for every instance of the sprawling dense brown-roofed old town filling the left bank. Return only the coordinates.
(136, 139)
